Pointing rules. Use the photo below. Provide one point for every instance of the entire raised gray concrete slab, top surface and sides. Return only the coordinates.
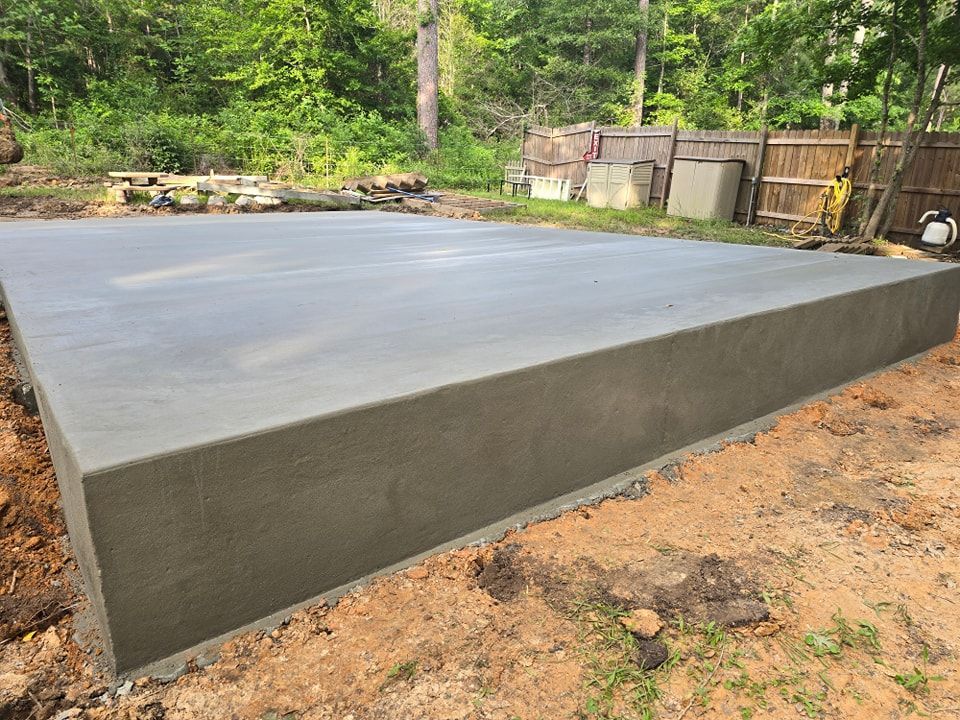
(248, 411)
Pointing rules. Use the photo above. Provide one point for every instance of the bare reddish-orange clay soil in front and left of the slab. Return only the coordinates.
(811, 572)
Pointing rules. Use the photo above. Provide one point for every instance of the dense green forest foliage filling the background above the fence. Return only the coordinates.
(317, 90)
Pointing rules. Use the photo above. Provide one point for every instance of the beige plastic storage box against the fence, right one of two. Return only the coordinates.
(705, 188)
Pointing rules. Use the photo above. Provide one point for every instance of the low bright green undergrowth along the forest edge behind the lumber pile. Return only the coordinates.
(311, 144)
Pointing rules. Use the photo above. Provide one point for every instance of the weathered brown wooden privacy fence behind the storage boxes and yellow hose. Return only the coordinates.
(784, 171)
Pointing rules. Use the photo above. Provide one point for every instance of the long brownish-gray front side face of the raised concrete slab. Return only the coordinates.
(194, 544)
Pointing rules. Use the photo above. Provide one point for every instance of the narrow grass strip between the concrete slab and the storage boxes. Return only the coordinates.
(635, 221)
